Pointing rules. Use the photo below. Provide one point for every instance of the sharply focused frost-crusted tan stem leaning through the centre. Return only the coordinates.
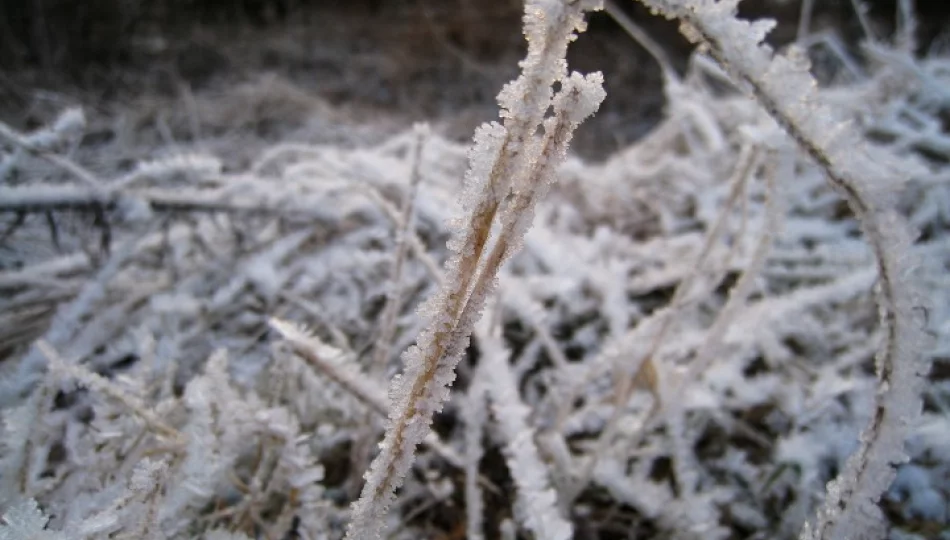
(501, 156)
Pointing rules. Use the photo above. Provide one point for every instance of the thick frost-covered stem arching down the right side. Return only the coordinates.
(785, 89)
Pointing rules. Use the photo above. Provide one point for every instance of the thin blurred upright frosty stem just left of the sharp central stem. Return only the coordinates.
(394, 296)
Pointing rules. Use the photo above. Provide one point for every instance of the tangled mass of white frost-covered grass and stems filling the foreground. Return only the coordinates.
(725, 330)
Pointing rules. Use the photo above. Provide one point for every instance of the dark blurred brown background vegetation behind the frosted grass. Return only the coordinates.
(418, 58)
